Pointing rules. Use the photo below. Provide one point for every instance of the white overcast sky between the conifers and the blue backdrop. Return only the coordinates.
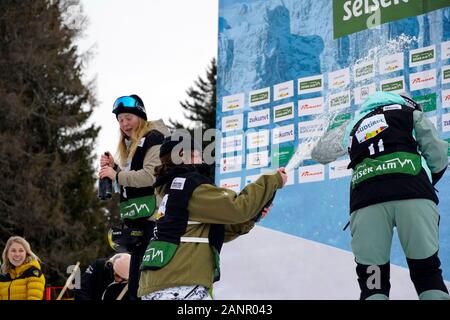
(153, 48)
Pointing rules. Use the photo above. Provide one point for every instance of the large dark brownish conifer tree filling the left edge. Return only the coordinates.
(48, 191)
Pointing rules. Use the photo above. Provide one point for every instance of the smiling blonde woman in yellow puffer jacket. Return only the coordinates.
(21, 277)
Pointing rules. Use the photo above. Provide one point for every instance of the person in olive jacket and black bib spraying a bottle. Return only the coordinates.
(194, 219)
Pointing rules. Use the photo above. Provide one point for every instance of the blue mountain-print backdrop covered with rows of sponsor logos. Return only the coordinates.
(264, 43)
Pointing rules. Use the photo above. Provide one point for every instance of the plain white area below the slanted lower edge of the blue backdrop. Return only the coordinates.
(267, 264)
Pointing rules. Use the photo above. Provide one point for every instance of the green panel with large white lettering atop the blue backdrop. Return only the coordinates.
(350, 16)
